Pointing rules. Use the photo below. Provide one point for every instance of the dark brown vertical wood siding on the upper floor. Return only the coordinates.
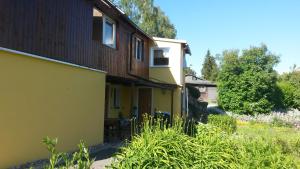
(63, 30)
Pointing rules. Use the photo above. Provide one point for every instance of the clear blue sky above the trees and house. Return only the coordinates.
(237, 24)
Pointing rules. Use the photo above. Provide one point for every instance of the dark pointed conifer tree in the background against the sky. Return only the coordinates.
(210, 68)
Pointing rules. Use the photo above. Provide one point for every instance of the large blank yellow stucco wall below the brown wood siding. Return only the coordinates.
(41, 98)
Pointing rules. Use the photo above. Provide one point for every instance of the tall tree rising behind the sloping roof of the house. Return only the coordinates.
(148, 17)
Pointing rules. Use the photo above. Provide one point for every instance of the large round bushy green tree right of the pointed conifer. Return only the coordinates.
(247, 82)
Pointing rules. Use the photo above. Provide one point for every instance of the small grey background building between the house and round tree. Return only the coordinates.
(207, 89)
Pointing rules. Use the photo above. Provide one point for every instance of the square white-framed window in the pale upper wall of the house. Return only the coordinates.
(159, 57)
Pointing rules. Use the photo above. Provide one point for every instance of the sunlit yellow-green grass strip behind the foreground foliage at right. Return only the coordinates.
(287, 138)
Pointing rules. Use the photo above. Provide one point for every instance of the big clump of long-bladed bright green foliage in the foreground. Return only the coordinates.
(210, 148)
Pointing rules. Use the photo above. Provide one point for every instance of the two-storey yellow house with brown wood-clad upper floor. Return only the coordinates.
(72, 68)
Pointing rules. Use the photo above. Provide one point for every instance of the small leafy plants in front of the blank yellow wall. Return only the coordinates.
(77, 160)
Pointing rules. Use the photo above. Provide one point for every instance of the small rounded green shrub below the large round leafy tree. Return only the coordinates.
(224, 122)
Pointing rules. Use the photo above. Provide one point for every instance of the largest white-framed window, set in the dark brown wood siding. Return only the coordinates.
(109, 32)
